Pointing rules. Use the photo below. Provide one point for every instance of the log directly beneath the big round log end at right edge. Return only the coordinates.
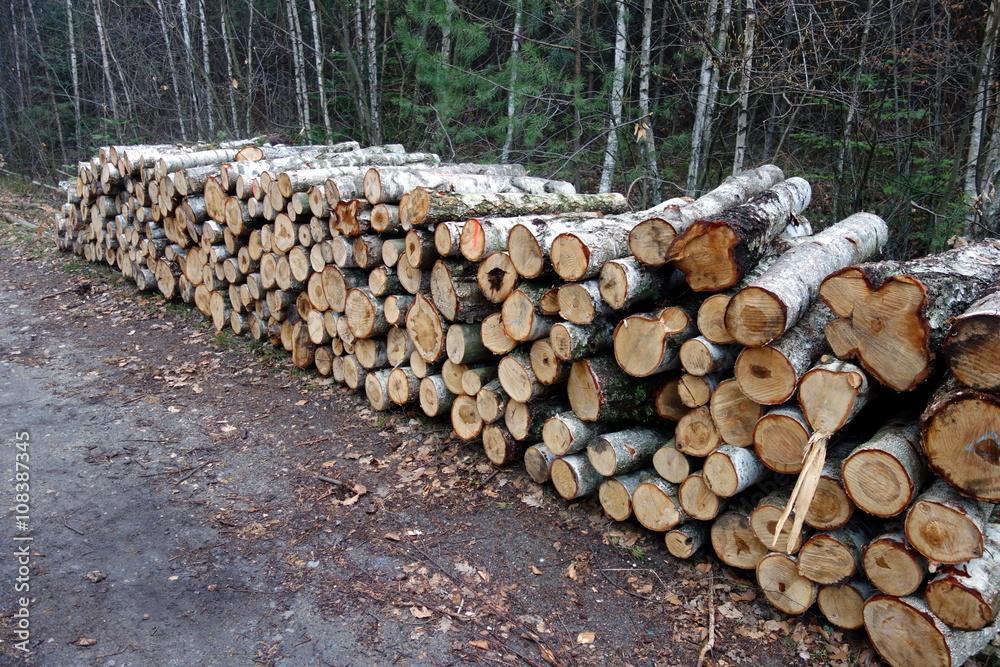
(945, 527)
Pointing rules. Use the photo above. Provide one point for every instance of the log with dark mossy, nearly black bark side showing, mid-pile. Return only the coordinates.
(599, 390)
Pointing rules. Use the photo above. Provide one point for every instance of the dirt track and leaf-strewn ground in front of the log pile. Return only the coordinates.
(178, 517)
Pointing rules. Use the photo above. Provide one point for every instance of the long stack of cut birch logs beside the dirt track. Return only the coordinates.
(685, 362)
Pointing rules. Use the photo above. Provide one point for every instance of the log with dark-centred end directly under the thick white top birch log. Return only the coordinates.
(770, 374)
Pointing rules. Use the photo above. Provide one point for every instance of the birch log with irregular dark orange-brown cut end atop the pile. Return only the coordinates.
(715, 253)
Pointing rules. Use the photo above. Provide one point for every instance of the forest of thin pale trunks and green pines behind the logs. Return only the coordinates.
(887, 106)
